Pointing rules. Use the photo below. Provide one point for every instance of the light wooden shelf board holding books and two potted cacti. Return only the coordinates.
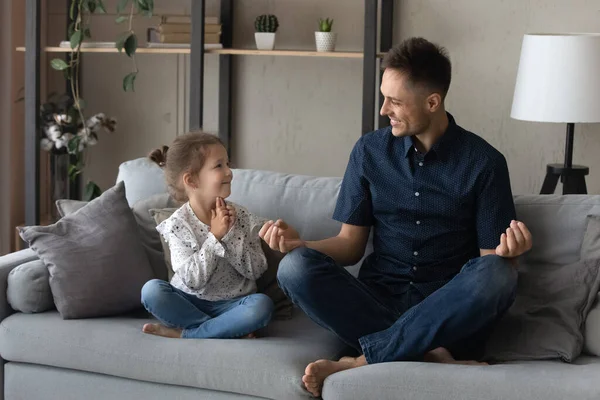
(242, 52)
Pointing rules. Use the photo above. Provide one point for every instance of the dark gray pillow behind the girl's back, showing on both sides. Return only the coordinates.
(266, 284)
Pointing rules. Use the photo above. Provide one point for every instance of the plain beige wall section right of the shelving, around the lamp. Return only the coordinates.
(484, 41)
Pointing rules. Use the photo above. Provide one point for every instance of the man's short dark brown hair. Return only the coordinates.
(424, 64)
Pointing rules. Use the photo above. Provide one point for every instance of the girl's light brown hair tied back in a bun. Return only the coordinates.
(187, 154)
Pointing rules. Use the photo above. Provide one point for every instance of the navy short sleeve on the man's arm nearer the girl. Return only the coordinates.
(354, 200)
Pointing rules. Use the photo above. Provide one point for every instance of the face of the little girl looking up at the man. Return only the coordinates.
(214, 179)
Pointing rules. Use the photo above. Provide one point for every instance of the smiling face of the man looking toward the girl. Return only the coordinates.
(404, 104)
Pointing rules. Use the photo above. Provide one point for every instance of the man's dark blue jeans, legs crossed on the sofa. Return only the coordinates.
(459, 316)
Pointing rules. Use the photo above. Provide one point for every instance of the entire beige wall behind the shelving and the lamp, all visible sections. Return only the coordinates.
(303, 115)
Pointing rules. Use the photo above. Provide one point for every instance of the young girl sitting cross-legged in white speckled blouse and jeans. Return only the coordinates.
(215, 249)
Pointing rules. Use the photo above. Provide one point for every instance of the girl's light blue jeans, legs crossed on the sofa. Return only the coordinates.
(202, 319)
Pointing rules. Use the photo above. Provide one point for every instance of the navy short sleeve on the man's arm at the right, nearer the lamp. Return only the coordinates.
(495, 208)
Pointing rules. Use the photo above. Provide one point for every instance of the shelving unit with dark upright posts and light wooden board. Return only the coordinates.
(373, 27)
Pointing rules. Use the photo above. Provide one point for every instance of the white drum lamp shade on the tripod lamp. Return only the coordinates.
(558, 79)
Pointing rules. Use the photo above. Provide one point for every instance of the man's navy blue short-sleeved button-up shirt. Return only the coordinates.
(431, 213)
